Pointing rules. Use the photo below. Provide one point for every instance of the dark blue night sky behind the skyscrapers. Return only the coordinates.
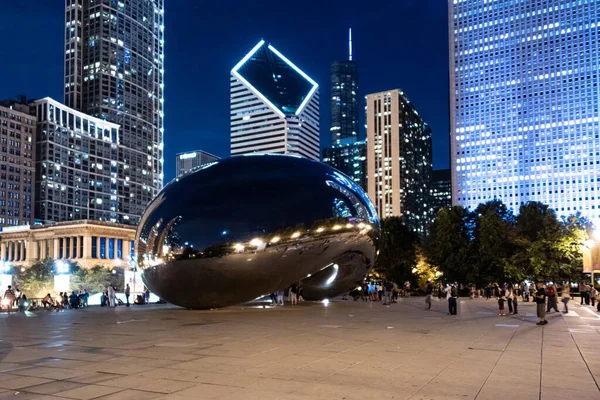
(397, 44)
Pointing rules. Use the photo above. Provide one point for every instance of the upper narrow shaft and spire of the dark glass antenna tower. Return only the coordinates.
(344, 100)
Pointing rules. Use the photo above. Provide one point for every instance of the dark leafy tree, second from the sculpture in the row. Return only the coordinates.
(449, 246)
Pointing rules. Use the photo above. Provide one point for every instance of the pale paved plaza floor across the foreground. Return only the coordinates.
(345, 350)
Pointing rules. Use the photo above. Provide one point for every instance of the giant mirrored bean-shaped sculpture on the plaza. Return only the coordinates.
(247, 226)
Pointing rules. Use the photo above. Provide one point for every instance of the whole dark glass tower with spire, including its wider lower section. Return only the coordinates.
(346, 152)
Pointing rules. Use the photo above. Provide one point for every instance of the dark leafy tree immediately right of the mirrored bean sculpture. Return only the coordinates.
(397, 251)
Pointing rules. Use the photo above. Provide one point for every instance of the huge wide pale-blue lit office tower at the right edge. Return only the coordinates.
(524, 103)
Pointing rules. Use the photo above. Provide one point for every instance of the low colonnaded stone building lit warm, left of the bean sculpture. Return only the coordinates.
(87, 242)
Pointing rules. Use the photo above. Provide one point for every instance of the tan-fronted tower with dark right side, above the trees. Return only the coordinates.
(399, 160)
